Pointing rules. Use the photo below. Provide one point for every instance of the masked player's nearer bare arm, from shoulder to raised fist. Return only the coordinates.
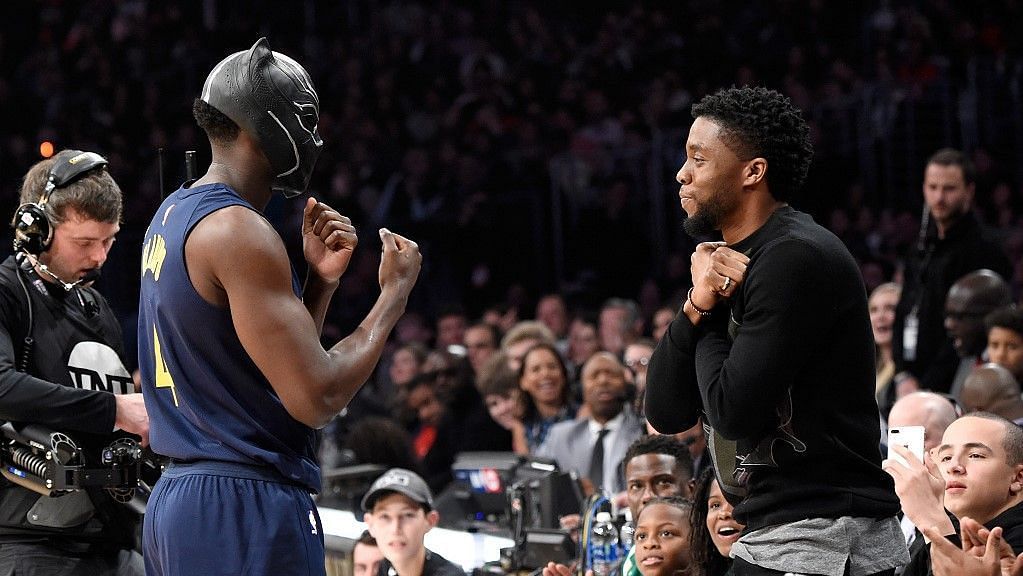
(237, 259)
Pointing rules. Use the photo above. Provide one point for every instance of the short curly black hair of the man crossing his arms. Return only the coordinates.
(761, 123)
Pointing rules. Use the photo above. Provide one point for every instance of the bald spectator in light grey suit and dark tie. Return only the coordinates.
(594, 447)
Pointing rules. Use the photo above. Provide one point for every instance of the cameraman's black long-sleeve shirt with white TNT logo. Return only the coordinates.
(76, 363)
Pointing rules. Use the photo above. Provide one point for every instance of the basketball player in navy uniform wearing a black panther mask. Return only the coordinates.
(233, 369)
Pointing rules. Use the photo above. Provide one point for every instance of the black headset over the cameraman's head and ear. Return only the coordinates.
(33, 230)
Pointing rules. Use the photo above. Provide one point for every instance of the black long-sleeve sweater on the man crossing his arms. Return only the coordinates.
(785, 371)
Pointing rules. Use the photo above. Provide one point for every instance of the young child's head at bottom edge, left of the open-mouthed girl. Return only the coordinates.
(662, 538)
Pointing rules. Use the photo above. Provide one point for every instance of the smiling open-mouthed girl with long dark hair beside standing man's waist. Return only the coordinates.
(715, 529)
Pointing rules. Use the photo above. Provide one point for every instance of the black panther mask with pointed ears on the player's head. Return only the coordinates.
(273, 98)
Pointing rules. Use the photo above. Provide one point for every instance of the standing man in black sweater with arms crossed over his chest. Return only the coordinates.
(773, 348)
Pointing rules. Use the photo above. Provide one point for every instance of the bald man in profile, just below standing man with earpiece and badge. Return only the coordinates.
(969, 300)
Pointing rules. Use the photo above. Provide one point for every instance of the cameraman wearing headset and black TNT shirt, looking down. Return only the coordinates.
(62, 368)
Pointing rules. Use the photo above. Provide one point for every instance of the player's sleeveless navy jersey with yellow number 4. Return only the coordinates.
(207, 400)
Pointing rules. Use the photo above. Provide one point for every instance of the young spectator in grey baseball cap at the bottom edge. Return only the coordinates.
(399, 512)
